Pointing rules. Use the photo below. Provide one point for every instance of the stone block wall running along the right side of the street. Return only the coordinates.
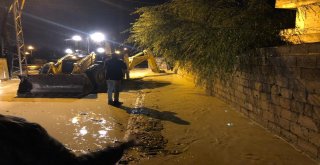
(280, 89)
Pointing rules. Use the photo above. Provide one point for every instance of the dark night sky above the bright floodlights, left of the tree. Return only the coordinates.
(47, 23)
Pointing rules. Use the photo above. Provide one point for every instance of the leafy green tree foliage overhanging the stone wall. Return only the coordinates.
(207, 35)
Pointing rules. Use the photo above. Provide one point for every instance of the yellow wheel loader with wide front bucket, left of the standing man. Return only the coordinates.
(71, 76)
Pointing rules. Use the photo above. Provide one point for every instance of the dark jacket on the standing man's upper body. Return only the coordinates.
(115, 69)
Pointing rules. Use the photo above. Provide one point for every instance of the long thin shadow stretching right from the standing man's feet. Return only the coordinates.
(165, 115)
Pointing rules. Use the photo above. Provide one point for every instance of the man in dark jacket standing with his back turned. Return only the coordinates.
(114, 74)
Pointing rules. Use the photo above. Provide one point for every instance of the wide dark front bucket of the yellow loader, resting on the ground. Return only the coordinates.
(61, 85)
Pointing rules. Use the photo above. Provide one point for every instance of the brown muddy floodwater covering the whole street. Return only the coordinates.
(174, 122)
